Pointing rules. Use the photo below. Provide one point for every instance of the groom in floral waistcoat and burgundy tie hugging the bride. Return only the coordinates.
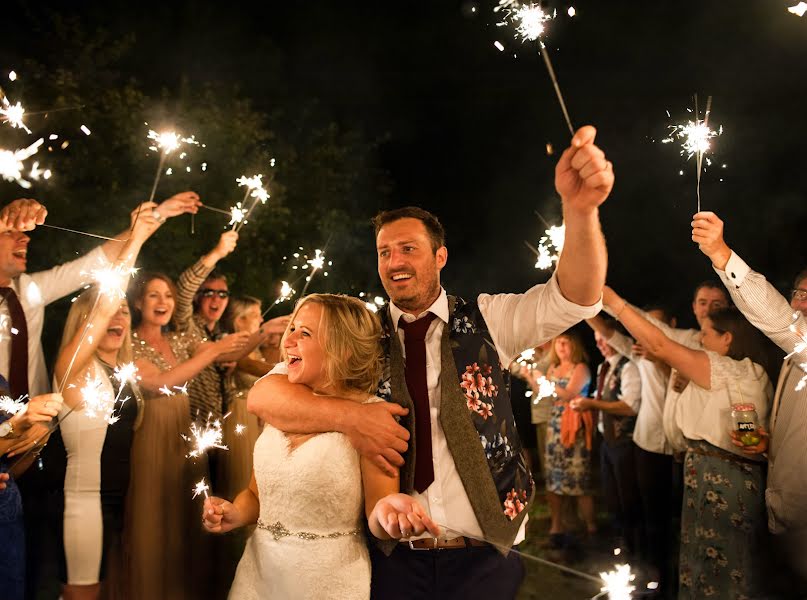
(443, 365)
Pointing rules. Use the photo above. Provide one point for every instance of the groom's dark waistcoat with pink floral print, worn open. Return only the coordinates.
(476, 417)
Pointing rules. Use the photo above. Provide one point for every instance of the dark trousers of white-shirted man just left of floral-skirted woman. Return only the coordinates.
(655, 478)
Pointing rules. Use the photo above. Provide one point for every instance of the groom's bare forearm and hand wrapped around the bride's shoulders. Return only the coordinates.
(294, 408)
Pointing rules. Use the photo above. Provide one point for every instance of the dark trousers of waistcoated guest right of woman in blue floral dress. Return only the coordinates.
(618, 471)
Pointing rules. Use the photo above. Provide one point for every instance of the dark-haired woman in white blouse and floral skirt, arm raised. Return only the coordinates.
(722, 520)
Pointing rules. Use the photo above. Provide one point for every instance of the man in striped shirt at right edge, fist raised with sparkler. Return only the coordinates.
(786, 325)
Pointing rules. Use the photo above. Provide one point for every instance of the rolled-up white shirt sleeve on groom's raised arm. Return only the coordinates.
(520, 321)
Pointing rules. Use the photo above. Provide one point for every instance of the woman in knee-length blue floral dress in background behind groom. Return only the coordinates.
(568, 467)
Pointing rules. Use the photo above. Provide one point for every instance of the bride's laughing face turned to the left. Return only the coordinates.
(305, 355)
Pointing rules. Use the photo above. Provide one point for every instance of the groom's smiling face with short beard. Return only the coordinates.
(408, 265)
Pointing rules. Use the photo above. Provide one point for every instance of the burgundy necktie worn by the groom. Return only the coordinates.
(415, 369)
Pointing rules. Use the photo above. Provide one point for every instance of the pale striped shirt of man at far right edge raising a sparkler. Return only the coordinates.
(770, 312)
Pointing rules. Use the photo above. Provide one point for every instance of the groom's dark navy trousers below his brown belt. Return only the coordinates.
(461, 573)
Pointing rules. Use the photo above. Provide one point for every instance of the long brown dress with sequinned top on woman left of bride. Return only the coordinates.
(163, 530)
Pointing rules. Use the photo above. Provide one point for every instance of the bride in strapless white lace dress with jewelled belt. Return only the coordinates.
(308, 491)
